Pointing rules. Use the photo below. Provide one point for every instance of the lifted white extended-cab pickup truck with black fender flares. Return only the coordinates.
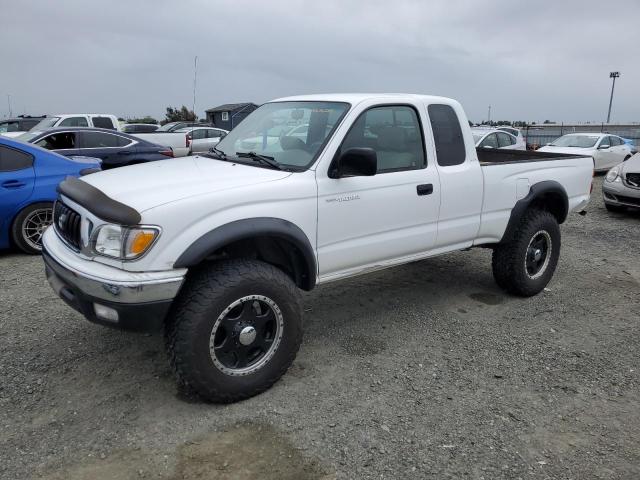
(215, 249)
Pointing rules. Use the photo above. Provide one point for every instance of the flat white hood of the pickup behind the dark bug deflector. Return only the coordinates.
(152, 184)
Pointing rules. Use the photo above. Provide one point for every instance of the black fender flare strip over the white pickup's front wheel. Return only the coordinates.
(246, 229)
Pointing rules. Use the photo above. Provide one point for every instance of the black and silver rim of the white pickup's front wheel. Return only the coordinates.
(246, 335)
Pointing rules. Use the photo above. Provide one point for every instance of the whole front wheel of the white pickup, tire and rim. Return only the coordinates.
(235, 329)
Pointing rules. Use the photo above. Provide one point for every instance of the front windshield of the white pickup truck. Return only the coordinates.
(292, 133)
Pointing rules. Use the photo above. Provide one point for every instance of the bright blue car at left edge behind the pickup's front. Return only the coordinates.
(29, 176)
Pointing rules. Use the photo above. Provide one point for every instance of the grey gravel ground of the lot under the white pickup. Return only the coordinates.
(423, 371)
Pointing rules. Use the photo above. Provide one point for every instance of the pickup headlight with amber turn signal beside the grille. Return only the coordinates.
(124, 243)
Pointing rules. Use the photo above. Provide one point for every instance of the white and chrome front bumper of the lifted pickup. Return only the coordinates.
(131, 303)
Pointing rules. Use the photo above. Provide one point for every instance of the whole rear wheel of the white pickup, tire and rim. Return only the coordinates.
(524, 264)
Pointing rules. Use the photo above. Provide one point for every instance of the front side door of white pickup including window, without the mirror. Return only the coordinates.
(365, 221)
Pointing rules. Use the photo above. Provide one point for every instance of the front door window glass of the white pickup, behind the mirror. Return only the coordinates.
(394, 133)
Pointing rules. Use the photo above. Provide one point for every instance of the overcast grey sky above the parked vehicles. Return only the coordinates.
(528, 60)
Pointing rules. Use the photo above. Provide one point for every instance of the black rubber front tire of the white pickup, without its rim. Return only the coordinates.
(210, 290)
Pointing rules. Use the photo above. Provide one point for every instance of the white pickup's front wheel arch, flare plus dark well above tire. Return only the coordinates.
(273, 240)
